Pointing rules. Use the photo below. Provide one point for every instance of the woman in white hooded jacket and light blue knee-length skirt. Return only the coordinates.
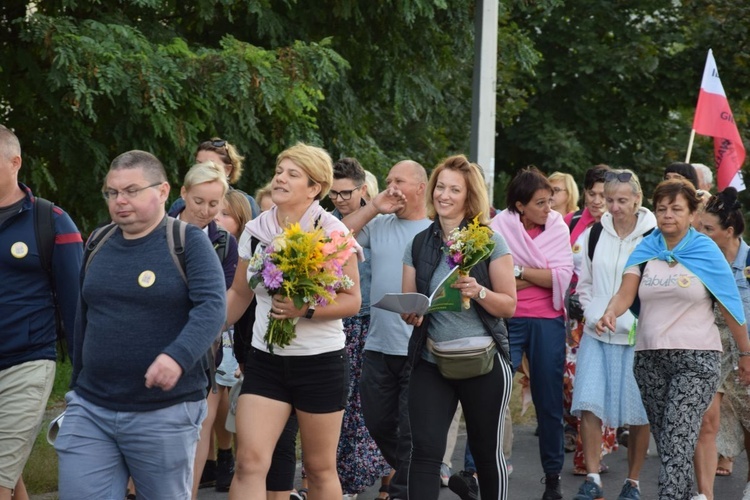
(605, 390)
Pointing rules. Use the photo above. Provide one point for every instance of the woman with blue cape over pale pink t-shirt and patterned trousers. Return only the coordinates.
(677, 364)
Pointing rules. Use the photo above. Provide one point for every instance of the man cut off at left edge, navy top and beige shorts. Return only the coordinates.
(27, 312)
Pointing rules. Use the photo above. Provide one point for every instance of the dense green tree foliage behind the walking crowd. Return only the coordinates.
(578, 82)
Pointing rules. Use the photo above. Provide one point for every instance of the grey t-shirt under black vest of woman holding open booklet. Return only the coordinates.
(448, 325)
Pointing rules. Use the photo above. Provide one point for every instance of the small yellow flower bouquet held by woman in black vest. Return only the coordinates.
(468, 246)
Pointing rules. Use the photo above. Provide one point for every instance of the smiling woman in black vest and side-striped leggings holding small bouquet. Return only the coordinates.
(459, 206)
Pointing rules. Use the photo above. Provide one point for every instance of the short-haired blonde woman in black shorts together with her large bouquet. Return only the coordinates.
(297, 361)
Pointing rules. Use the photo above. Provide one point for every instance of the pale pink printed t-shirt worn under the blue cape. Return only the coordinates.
(676, 310)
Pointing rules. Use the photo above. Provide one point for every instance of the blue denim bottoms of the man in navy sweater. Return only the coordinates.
(98, 449)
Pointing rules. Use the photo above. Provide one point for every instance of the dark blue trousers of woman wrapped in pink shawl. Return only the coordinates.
(543, 341)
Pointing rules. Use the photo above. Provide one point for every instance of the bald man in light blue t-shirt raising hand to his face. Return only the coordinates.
(384, 227)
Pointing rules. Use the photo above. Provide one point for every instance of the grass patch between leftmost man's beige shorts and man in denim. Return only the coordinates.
(40, 473)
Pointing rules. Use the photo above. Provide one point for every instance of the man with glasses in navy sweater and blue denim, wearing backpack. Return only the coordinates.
(138, 388)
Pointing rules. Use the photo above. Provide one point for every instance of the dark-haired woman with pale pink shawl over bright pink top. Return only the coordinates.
(543, 266)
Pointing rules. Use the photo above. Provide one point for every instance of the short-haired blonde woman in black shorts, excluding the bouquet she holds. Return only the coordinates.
(310, 375)
